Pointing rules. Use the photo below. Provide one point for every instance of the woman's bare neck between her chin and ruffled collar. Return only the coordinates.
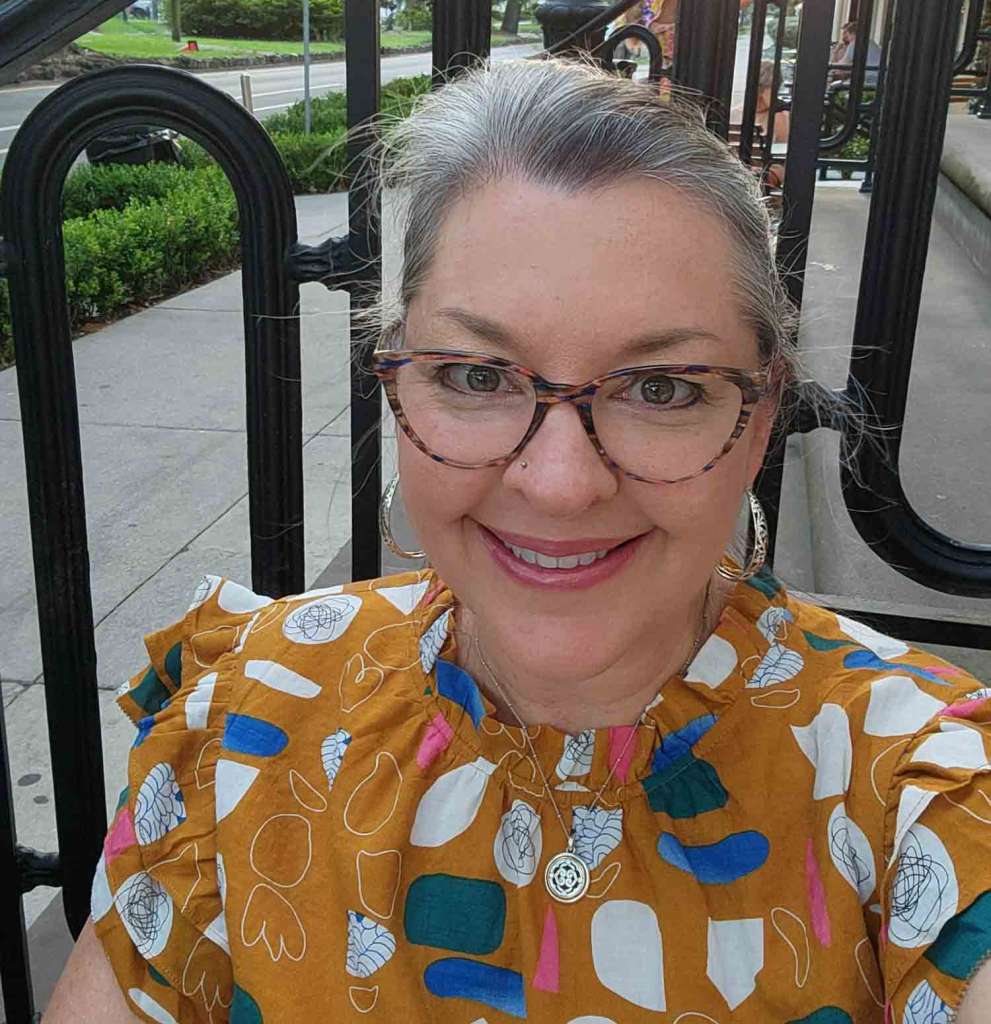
(615, 697)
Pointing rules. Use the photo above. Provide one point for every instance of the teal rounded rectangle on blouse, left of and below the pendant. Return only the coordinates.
(466, 916)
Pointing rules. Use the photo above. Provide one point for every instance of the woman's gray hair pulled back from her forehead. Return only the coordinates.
(573, 127)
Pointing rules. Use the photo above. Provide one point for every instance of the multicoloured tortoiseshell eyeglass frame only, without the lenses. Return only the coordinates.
(753, 386)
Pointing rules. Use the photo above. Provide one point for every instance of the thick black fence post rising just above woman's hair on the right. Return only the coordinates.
(706, 55)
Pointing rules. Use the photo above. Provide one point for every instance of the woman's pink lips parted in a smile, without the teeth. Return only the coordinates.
(581, 578)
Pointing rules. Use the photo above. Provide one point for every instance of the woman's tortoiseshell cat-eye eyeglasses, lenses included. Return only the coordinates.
(659, 424)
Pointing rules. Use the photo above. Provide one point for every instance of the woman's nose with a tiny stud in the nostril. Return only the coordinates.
(565, 474)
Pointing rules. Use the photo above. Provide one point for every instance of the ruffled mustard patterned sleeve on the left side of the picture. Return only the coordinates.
(158, 893)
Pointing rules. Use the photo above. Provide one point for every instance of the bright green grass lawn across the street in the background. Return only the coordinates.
(142, 40)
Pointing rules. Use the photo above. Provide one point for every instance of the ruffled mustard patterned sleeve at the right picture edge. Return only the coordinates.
(936, 899)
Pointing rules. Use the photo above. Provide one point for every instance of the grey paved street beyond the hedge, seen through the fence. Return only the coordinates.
(274, 89)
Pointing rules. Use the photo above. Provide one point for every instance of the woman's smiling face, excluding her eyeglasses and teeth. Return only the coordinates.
(573, 286)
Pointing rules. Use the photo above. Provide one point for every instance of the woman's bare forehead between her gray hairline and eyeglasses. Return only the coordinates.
(574, 277)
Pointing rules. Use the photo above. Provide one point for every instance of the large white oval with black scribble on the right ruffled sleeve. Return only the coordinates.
(925, 892)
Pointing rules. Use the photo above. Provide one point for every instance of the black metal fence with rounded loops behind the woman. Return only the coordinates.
(908, 133)
